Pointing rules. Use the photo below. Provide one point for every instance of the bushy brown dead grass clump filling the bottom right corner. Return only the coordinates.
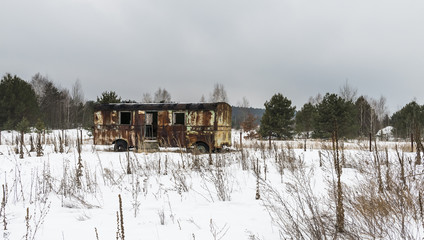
(387, 207)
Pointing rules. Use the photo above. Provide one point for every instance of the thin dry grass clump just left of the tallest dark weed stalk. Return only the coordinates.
(297, 212)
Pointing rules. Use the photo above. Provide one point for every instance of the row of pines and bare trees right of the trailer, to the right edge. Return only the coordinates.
(348, 115)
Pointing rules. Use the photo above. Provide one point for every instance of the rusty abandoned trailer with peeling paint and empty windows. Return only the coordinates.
(205, 126)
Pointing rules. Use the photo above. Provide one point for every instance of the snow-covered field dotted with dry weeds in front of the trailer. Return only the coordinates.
(173, 194)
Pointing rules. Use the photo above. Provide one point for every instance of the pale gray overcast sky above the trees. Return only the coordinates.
(255, 48)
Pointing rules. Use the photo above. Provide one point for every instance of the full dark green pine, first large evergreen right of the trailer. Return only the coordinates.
(278, 118)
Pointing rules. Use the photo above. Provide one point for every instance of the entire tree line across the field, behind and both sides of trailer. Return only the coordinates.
(41, 101)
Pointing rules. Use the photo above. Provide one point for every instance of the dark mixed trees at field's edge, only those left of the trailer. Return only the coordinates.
(40, 100)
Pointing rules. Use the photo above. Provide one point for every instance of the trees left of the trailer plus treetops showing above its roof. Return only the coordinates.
(40, 102)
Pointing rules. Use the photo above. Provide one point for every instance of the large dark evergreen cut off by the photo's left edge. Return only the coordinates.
(17, 100)
